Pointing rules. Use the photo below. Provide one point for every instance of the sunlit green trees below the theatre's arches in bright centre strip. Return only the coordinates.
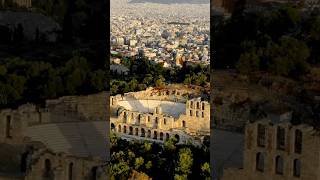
(168, 161)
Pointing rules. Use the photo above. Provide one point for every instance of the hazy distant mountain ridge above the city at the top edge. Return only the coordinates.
(171, 1)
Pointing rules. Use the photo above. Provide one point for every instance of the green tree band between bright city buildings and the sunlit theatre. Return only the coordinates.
(144, 74)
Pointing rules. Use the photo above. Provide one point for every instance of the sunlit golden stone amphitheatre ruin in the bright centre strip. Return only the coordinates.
(156, 115)
